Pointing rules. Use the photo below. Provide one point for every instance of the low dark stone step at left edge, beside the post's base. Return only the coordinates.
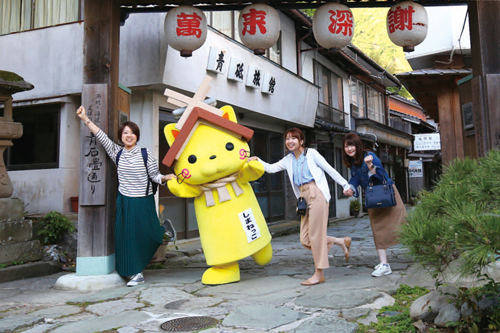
(30, 270)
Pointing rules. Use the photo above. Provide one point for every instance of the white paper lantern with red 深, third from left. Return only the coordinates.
(333, 25)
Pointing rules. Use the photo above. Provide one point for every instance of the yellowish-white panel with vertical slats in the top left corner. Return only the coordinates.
(20, 15)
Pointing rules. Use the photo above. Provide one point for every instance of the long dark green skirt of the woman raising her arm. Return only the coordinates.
(138, 233)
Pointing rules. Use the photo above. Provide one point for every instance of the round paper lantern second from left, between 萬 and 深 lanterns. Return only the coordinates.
(259, 27)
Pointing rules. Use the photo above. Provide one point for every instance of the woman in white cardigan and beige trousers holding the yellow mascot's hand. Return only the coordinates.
(306, 170)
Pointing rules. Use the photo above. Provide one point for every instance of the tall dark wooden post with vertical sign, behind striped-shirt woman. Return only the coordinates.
(97, 210)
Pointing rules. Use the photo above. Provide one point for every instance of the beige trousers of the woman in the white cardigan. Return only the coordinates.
(313, 225)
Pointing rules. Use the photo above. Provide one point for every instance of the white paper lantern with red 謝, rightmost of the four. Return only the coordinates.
(407, 25)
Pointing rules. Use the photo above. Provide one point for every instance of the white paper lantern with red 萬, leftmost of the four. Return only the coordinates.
(185, 29)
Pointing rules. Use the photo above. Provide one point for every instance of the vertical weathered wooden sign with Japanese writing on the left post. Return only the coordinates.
(92, 153)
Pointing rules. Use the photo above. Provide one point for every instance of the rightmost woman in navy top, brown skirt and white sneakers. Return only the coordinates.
(365, 167)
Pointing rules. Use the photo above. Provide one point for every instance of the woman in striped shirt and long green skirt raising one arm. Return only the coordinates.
(138, 233)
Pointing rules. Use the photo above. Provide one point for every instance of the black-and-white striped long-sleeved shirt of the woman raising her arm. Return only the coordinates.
(132, 175)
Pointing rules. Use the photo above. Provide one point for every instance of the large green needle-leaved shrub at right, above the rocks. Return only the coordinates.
(459, 218)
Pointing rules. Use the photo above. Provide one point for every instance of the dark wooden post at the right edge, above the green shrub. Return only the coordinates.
(484, 36)
